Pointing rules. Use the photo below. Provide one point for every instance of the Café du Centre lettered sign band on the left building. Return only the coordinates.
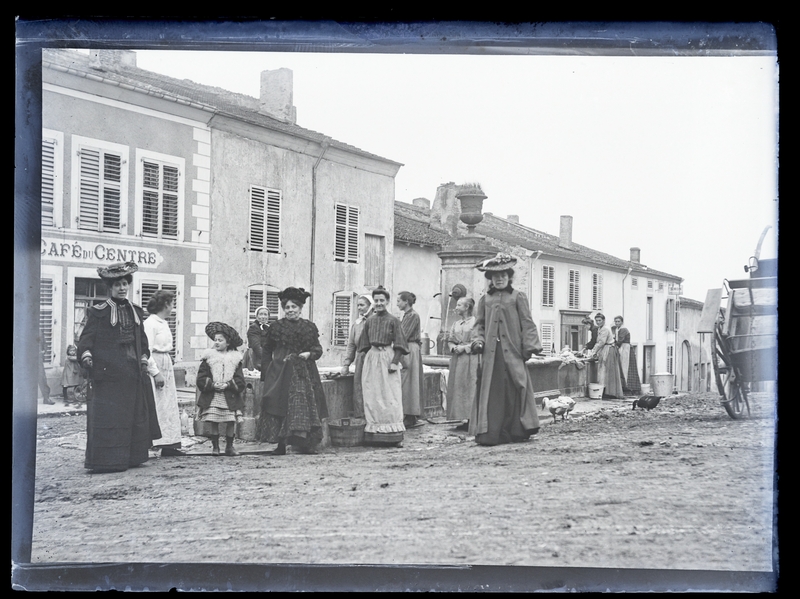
(71, 250)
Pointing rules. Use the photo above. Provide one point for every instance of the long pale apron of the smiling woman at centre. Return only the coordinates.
(383, 395)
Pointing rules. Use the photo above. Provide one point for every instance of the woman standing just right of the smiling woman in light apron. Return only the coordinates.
(411, 374)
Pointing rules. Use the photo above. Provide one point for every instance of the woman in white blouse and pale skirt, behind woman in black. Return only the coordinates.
(162, 375)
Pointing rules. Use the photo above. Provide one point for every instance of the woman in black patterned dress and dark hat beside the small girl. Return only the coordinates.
(294, 404)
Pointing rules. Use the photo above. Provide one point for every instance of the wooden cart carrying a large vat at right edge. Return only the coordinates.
(744, 343)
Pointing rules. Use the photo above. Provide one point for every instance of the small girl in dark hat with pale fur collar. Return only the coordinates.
(220, 381)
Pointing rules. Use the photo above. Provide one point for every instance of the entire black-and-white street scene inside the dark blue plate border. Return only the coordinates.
(491, 306)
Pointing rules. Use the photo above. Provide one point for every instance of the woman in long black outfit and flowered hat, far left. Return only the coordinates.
(121, 420)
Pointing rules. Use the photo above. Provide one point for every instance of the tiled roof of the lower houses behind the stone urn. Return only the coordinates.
(412, 224)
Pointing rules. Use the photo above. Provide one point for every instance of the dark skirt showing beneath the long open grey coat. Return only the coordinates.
(504, 409)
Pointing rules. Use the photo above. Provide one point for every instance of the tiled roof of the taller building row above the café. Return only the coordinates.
(184, 91)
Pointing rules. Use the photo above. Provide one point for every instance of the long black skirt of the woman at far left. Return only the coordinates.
(117, 423)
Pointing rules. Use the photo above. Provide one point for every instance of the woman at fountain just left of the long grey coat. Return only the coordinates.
(462, 378)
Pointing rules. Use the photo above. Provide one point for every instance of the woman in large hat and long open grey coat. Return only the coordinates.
(505, 409)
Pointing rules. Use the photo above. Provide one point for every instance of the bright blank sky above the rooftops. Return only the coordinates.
(675, 155)
